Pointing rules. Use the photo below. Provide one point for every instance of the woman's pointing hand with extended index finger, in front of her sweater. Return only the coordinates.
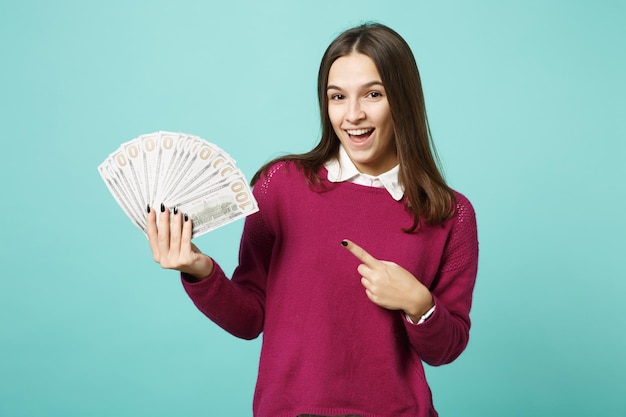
(389, 285)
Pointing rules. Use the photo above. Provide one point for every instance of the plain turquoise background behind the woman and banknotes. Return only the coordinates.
(527, 106)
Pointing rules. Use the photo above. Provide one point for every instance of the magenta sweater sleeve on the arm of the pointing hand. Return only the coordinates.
(444, 336)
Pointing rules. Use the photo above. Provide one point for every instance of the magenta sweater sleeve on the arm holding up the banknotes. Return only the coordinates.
(238, 305)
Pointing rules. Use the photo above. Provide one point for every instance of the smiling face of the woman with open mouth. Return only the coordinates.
(359, 113)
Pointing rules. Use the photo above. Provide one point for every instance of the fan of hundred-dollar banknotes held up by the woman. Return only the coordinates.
(178, 170)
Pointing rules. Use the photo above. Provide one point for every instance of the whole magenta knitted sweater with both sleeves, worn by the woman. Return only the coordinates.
(327, 349)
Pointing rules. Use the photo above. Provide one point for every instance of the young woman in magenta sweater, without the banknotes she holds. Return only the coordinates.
(346, 323)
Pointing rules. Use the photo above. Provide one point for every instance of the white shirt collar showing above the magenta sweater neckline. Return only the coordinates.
(343, 169)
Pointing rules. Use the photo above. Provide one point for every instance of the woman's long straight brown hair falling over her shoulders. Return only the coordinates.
(426, 193)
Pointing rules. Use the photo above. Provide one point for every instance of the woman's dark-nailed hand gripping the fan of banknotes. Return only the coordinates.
(171, 244)
